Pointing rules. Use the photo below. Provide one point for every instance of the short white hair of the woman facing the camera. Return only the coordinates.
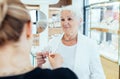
(74, 10)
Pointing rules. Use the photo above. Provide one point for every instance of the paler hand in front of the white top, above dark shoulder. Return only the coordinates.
(55, 60)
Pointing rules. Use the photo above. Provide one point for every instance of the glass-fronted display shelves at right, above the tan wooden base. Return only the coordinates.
(103, 24)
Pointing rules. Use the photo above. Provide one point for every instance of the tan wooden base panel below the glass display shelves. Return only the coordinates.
(111, 69)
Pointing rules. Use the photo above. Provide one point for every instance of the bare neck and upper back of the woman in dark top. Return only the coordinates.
(13, 61)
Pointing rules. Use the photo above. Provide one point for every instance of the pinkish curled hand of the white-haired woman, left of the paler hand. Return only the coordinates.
(40, 57)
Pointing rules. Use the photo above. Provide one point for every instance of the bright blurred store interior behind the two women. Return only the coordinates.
(101, 22)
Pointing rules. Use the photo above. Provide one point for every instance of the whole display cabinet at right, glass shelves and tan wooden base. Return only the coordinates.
(103, 23)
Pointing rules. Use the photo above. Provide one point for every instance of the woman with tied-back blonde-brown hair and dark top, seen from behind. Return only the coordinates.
(15, 44)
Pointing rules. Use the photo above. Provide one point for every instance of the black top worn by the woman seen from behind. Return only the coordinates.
(38, 73)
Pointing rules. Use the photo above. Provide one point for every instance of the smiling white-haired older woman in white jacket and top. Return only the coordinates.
(79, 52)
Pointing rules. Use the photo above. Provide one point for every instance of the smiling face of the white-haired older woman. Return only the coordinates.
(69, 23)
